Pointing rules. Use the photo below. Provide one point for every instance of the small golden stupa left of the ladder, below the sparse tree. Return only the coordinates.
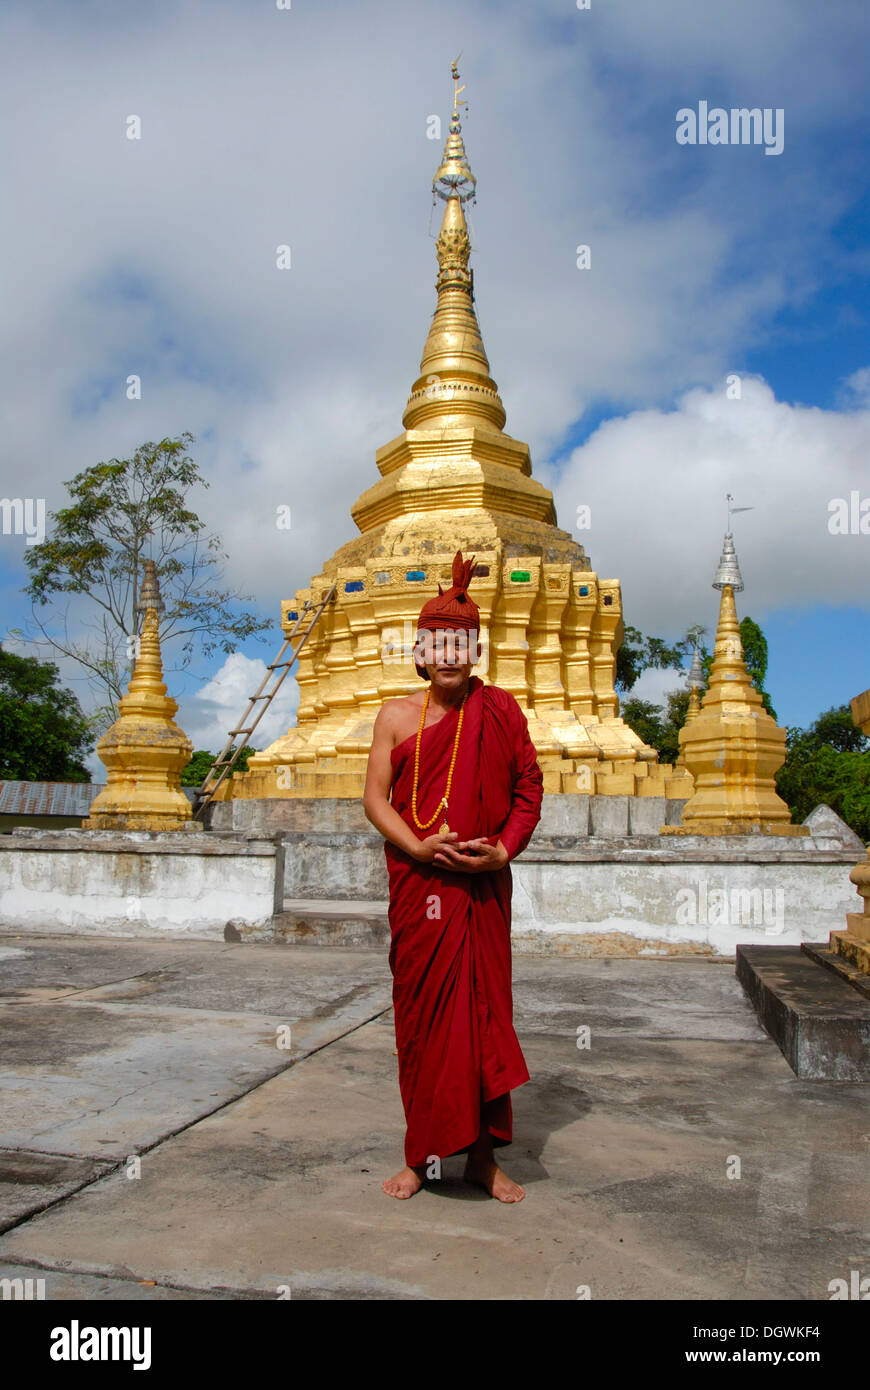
(144, 751)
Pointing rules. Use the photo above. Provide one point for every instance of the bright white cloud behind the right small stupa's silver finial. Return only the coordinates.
(657, 484)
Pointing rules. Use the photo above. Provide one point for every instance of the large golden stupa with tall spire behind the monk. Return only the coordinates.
(455, 480)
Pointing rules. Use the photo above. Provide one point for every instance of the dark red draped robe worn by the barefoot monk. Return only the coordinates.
(459, 1057)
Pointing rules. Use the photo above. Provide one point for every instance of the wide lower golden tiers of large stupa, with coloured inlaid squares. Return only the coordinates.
(550, 635)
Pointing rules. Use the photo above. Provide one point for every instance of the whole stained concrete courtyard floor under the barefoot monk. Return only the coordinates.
(261, 1166)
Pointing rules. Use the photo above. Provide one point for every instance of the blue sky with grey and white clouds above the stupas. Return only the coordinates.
(308, 127)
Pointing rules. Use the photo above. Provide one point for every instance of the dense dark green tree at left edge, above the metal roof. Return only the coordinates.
(44, 735)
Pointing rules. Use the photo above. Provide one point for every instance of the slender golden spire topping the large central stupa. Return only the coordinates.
(455, 387)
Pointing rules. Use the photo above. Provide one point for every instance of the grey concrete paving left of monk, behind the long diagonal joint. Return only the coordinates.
(99, 1064)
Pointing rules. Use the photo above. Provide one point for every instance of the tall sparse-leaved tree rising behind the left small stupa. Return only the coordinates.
(120, 514)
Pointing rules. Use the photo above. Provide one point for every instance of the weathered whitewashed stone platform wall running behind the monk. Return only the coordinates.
(597, 879)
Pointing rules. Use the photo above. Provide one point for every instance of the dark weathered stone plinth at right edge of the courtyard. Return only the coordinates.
(818, 1020)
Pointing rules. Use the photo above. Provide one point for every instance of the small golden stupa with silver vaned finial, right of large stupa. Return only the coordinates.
(733, 749)
